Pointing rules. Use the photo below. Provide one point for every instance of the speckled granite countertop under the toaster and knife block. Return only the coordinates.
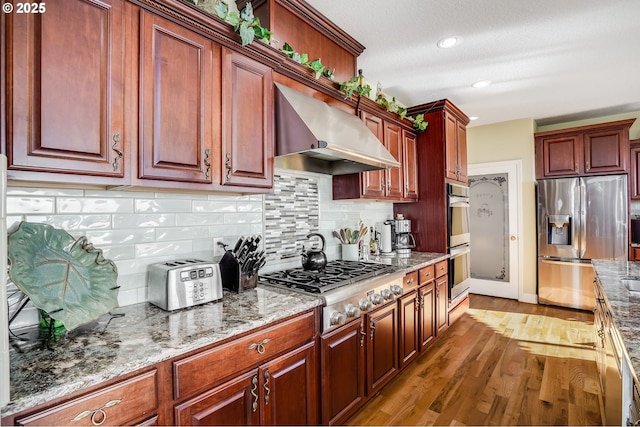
(145, 335)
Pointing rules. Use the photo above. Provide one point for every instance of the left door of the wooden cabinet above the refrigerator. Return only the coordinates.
(558, 155)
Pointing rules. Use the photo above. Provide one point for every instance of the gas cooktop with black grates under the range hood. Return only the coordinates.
(335, 275)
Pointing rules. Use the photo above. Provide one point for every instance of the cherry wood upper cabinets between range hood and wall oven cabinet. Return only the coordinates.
(398, 184)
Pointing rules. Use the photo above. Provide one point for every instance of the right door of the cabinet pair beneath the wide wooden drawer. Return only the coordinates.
(290, 389)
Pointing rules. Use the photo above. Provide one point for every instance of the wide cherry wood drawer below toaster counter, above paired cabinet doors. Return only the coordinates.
(203, 370)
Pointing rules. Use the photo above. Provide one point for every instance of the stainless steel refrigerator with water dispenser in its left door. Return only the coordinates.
(579, 219)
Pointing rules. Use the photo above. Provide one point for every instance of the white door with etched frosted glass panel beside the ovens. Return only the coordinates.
(495, 226)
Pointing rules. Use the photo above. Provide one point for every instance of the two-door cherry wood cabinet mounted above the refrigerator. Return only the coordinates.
(588, 150)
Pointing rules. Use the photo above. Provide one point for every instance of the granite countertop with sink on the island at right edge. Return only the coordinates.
(624, 305)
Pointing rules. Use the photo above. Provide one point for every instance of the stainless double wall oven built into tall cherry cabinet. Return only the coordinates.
(459, 240)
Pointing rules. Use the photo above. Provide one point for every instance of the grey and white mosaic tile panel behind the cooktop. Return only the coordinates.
(290, 213)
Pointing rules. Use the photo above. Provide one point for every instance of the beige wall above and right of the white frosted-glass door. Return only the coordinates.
(513, 140)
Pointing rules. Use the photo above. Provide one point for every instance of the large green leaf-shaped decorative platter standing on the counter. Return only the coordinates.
(69, 279)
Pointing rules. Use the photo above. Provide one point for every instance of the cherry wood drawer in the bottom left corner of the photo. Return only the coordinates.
(124, 403)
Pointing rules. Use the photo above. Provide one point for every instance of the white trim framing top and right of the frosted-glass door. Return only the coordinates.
(512, 167)
